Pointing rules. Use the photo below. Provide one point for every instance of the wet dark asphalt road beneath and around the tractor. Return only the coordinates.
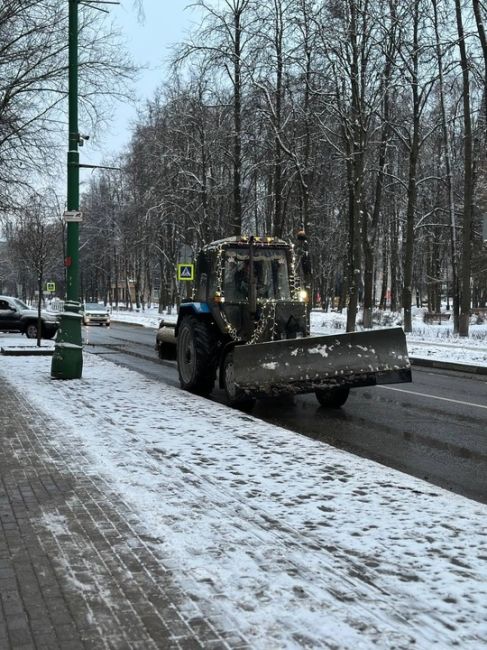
(434, 428)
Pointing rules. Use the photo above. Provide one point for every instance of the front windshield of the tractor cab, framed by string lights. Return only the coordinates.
(270, 275)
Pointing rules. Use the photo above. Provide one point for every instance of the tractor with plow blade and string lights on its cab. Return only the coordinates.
(248, 324)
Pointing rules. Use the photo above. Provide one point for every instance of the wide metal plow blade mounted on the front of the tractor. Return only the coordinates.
(301, 365)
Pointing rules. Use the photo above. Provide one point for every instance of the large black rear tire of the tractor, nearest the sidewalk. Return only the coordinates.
(196, 356)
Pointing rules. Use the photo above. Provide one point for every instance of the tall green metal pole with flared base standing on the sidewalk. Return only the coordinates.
(67, 360)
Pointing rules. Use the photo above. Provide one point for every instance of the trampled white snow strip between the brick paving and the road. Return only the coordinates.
(292, 542)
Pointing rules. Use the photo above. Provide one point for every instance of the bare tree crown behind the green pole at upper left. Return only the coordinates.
(33, 88)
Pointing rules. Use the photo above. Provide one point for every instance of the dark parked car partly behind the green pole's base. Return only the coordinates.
(16, 316)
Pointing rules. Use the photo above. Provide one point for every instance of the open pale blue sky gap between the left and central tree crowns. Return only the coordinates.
(149, 41)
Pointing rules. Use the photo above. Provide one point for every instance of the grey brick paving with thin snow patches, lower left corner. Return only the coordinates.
(74, 571)
